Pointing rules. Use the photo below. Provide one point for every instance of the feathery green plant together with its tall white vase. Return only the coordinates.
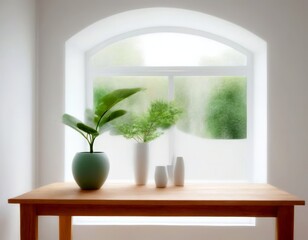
(146, 127)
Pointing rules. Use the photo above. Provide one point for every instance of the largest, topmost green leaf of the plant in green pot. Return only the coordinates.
(111, 99)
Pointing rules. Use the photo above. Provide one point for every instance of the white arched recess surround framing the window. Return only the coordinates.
(147, 20)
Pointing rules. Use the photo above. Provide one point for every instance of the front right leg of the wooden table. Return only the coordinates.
(285, 223)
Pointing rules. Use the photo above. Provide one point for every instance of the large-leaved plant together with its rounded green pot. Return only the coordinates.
(90, 169)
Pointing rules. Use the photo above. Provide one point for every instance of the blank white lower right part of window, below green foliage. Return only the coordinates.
(211, 159)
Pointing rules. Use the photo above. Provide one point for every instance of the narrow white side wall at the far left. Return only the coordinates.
(17, 55)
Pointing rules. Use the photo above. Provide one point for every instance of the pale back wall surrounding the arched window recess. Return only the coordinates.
(282, 23)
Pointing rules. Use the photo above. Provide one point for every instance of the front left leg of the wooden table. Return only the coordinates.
(28, 222)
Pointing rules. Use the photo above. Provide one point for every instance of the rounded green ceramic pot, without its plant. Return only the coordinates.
(90, 170)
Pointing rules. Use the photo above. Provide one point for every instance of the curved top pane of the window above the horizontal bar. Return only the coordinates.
(168, 49)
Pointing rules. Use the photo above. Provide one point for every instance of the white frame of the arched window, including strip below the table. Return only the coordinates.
(170, 73)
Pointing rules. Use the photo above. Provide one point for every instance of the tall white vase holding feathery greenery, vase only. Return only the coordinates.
(141, 164)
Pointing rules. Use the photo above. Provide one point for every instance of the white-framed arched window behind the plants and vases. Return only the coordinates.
(207, 78)
